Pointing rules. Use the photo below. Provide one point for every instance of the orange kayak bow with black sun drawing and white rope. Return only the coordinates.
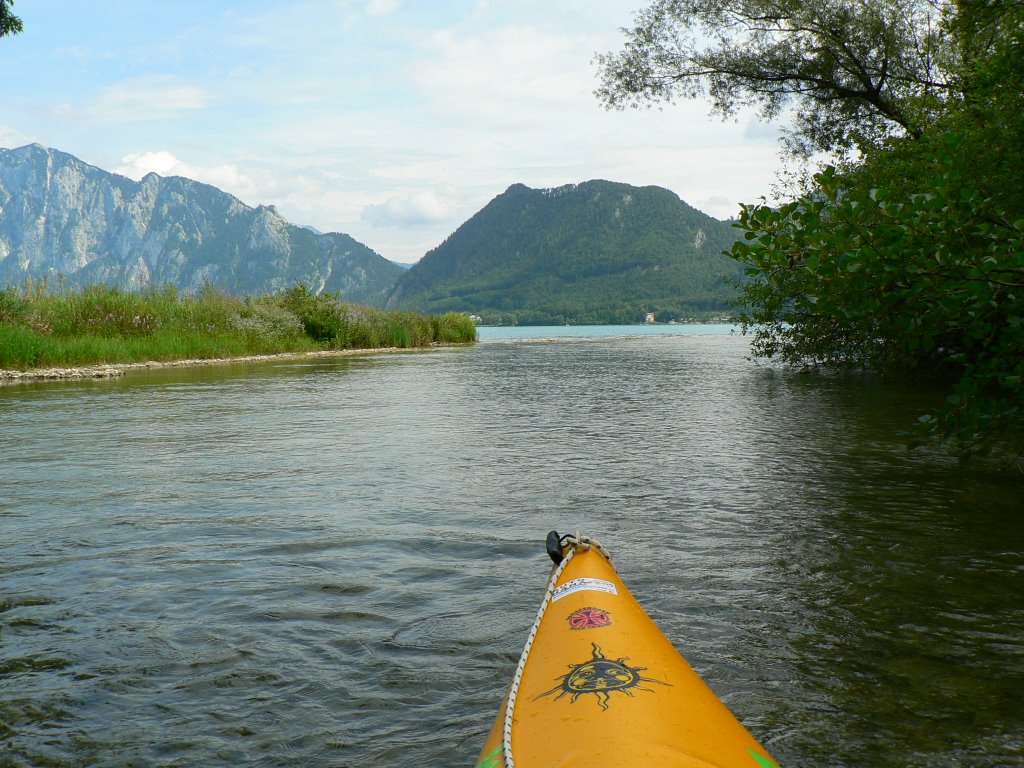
(600, 687)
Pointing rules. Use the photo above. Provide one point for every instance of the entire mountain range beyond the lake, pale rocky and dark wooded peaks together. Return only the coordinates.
(595, 252)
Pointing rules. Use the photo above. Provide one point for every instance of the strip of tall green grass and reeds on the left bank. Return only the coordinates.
(100, 324)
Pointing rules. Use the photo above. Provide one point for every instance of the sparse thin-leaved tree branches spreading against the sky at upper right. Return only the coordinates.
(855, 72)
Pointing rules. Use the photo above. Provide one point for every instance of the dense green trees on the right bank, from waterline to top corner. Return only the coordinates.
(911, 258)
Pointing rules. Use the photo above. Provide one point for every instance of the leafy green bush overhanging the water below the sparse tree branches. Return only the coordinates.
(932, 282)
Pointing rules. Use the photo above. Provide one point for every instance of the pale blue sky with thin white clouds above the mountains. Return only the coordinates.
(391, 120)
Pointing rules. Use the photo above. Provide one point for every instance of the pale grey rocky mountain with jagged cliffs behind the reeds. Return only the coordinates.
(60, 217)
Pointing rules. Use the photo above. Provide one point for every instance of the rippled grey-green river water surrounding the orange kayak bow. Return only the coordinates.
(335, 563)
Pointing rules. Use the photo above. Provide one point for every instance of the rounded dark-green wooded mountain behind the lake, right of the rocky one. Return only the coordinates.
(595, 252)
